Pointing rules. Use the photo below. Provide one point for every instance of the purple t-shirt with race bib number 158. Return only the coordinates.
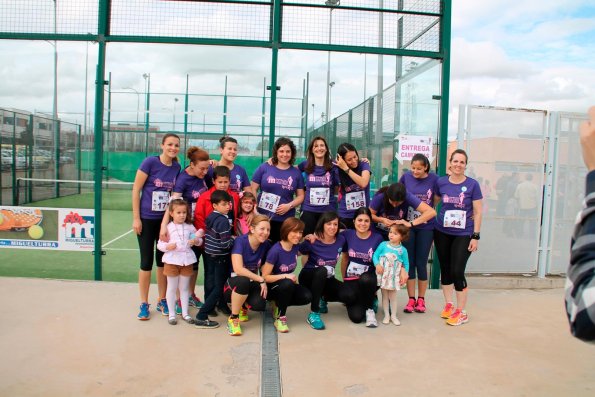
(350, 194)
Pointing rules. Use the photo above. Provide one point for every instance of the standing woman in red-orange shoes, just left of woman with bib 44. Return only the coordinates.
(419, 182)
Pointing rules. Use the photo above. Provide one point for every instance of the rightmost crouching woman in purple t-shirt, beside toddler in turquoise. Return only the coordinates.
(359, 273)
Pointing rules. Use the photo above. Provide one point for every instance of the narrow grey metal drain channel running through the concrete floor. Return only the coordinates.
(270, 373)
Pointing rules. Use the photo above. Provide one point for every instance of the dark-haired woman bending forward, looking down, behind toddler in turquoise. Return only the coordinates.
(389, 207)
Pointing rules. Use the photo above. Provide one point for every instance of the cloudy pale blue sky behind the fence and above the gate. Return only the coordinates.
(522, 53)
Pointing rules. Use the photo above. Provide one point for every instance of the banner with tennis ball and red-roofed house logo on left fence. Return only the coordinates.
(47, 228)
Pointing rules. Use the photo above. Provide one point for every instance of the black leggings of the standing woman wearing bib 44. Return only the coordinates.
(453, 254)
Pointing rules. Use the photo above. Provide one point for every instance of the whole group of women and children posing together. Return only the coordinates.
(250, 238)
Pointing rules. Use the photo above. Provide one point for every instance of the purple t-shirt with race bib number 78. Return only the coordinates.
(276, 187)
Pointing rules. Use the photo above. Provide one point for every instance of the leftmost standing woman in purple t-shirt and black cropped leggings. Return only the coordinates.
(154, 181)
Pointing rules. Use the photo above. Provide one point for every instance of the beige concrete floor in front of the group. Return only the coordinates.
(70, 338)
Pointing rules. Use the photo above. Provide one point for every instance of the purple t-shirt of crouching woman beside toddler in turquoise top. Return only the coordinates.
(360, 253)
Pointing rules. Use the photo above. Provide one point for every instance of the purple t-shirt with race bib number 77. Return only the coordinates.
(320, 189)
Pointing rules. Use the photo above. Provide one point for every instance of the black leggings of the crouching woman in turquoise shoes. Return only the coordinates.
(319, 285)
